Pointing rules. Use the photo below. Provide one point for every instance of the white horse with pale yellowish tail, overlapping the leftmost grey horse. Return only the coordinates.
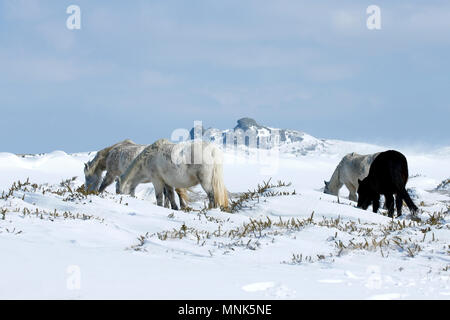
(182, 165)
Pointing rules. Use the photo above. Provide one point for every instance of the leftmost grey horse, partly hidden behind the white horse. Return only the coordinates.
(115, 160)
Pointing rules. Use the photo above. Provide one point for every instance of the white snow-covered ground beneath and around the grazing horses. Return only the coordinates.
(286, 240)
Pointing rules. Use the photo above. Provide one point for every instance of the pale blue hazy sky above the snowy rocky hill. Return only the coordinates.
(139, 69)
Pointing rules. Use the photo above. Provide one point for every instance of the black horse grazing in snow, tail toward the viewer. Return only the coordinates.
(388, 175)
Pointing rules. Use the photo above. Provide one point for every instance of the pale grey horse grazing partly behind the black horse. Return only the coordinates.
(351, 168)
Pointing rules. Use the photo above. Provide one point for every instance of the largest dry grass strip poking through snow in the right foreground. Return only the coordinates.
(409, 238)
